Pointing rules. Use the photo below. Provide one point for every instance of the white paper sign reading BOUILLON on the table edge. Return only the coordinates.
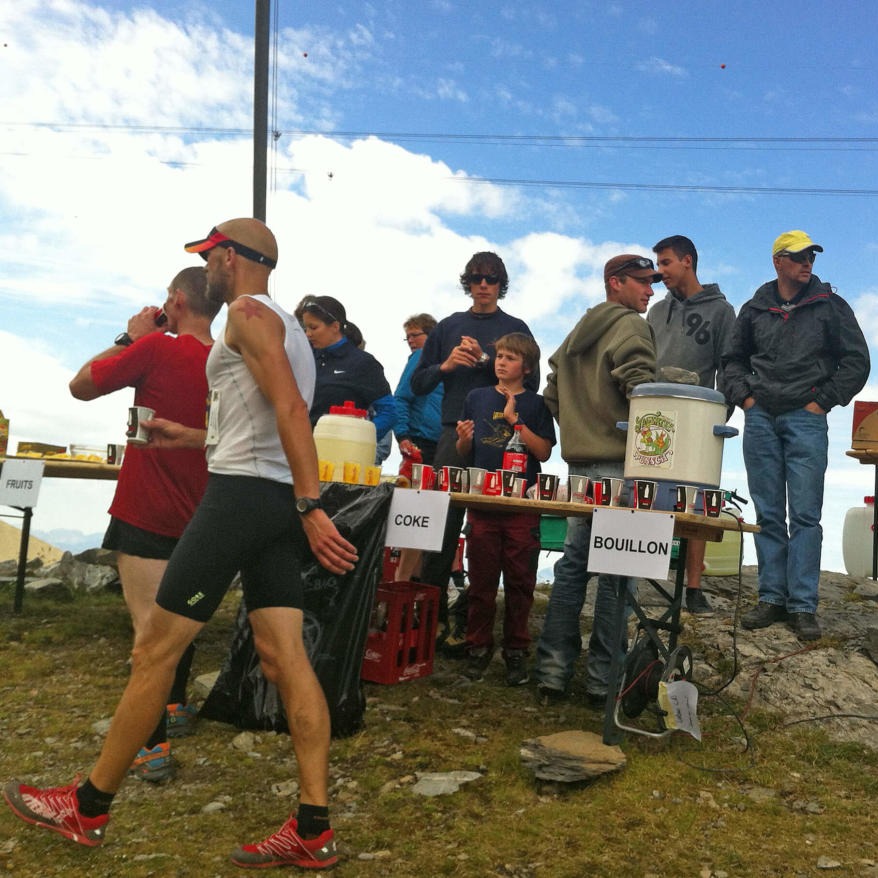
(628, 542)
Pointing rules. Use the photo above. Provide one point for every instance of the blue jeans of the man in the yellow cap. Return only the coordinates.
(785, 456)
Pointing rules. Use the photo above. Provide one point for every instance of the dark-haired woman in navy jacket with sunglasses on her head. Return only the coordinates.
(344, 370)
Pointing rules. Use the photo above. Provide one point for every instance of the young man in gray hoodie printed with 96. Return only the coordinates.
(692, 326)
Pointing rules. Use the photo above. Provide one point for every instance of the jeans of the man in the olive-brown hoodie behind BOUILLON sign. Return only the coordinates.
(561, 641)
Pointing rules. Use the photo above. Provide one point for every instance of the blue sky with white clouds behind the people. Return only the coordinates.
(410, 135)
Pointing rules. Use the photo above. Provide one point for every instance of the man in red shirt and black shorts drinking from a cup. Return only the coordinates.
(158, 489)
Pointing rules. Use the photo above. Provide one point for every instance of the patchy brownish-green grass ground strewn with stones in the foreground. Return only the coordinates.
(677, 809)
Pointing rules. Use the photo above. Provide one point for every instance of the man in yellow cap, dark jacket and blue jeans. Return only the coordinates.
(796, 352)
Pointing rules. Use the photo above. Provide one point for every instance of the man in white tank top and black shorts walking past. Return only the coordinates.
(260, 508)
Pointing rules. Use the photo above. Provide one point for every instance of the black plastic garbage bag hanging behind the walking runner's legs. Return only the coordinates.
(337, 610)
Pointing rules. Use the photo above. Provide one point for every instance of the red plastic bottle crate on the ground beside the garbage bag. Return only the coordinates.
(401, 641)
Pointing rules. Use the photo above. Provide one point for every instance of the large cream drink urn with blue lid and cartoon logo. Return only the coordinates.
(676, 433)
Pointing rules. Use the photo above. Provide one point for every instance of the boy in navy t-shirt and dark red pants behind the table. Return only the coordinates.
(503, 542)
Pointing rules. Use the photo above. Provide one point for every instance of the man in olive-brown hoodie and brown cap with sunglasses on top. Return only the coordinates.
(607, 354)
